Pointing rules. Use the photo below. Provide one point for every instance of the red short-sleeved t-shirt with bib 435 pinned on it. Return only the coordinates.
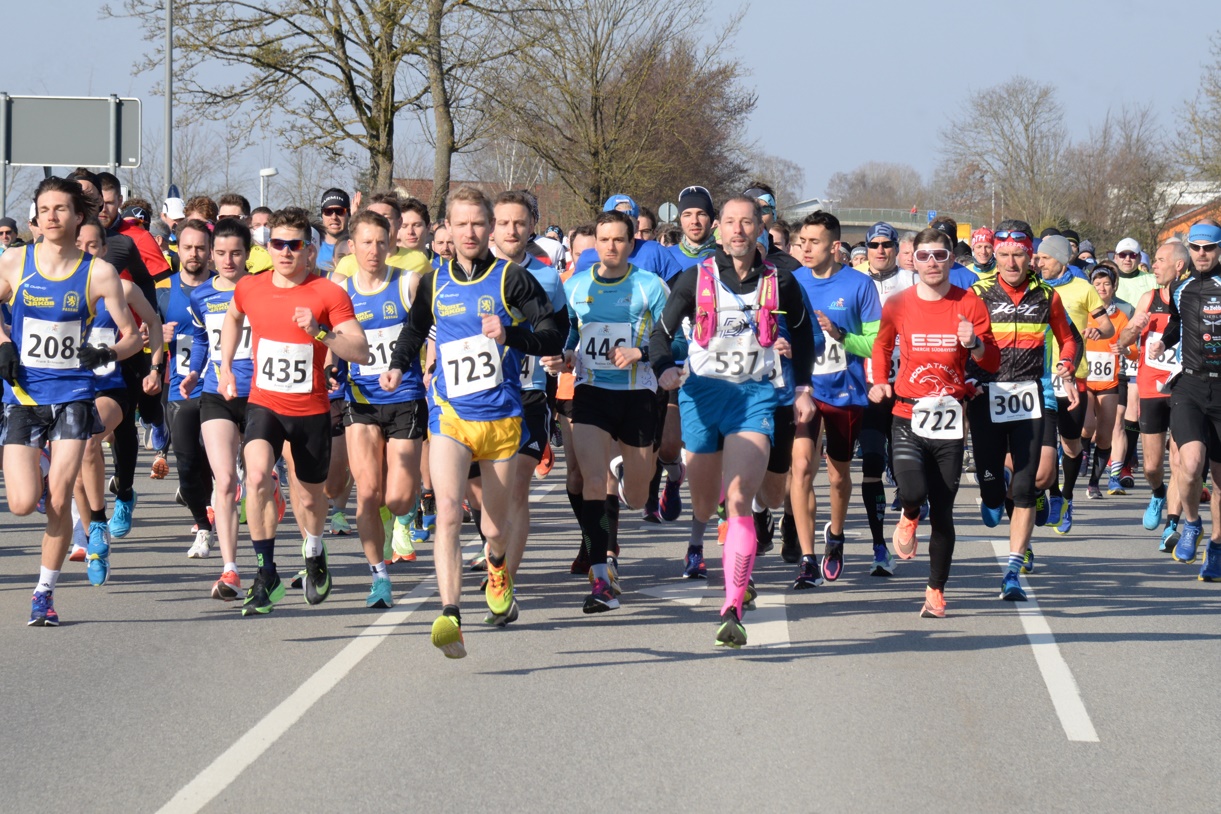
(288, 362)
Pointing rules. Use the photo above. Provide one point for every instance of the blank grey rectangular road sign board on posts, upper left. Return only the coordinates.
(71, 131)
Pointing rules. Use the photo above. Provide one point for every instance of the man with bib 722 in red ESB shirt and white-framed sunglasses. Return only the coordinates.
(929, 394)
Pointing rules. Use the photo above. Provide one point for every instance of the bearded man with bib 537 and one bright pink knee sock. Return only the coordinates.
(728, 402)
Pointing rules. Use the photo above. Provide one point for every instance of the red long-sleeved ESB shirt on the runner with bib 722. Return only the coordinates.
(932, 362)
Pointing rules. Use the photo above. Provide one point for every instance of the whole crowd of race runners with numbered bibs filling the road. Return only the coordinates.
(433, 370)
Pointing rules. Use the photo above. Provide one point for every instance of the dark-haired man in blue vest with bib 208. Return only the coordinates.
(54, 290)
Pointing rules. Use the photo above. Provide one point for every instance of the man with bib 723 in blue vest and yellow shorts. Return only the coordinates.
(476, 405)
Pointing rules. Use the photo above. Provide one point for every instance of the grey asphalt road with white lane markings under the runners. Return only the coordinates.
(1100, 695)
